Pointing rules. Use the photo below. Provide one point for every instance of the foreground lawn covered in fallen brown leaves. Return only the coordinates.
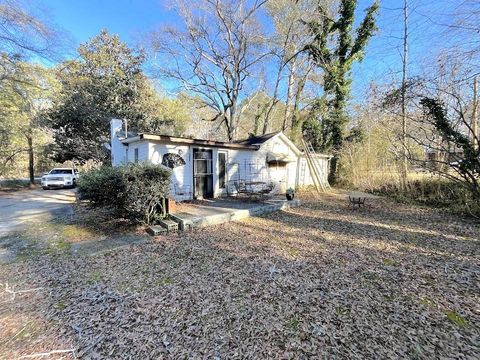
(318, 281)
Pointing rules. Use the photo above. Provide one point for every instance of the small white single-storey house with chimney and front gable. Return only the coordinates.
(205, 168)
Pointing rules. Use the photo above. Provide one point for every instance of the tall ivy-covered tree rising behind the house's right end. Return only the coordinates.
(334, 49)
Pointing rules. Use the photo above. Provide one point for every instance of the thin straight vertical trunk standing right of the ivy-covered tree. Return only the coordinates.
(403, 165)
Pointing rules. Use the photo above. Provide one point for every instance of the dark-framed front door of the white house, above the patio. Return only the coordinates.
(203, 173)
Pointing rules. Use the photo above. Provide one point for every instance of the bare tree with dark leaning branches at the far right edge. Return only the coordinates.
(442, 124)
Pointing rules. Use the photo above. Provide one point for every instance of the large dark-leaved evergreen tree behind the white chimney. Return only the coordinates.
(106, 81)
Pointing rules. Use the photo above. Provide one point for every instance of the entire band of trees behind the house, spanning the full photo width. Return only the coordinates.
(232, 69)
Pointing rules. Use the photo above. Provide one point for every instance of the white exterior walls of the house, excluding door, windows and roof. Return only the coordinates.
(242, 164)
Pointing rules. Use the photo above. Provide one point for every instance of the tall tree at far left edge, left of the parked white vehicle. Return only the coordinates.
(24, 33)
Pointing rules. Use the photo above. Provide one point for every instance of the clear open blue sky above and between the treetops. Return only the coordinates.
(83, 19)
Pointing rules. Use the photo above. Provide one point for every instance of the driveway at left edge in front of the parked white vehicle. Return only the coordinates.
(17, 208)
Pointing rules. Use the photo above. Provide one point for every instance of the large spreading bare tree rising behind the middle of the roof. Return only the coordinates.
(213, 53)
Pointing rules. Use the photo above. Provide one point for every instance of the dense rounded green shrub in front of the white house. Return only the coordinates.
(136, 191)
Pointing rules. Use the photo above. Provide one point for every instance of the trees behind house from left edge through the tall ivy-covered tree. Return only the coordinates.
(239, 78)
